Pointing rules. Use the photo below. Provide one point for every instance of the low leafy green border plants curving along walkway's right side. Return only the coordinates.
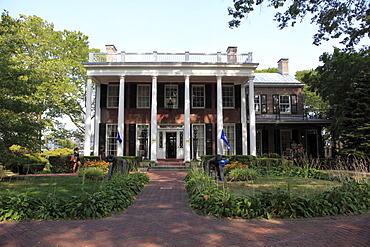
(205, 197)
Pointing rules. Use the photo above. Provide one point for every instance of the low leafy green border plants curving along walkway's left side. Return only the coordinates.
(115, 195)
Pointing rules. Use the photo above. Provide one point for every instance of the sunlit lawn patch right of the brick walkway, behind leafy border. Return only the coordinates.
(295, 185)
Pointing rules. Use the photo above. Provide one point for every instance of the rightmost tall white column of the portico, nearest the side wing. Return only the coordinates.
(252, 119)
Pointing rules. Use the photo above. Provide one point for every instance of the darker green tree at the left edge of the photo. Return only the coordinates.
(19, 113)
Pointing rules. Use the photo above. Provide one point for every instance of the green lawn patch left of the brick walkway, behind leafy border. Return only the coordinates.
(43, 186)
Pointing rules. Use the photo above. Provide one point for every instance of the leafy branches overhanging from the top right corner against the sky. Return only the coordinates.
(349, 20)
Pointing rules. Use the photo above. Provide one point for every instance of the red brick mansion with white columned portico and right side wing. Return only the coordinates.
(176, 105)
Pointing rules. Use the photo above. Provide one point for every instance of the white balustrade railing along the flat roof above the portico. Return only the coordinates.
(171, 57)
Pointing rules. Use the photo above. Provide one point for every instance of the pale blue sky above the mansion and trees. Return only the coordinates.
(177, 26)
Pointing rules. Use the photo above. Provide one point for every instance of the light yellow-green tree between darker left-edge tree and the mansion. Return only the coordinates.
(55, 59)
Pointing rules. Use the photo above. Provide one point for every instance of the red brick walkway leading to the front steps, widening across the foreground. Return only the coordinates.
(161, 216)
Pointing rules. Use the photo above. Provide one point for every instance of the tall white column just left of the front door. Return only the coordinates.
(153, 125)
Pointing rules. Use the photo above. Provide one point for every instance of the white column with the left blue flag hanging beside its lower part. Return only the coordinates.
(121, 115)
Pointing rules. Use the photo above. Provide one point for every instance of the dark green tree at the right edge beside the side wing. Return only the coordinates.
(343, 82)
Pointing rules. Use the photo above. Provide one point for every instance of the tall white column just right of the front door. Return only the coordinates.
(187, 119)
